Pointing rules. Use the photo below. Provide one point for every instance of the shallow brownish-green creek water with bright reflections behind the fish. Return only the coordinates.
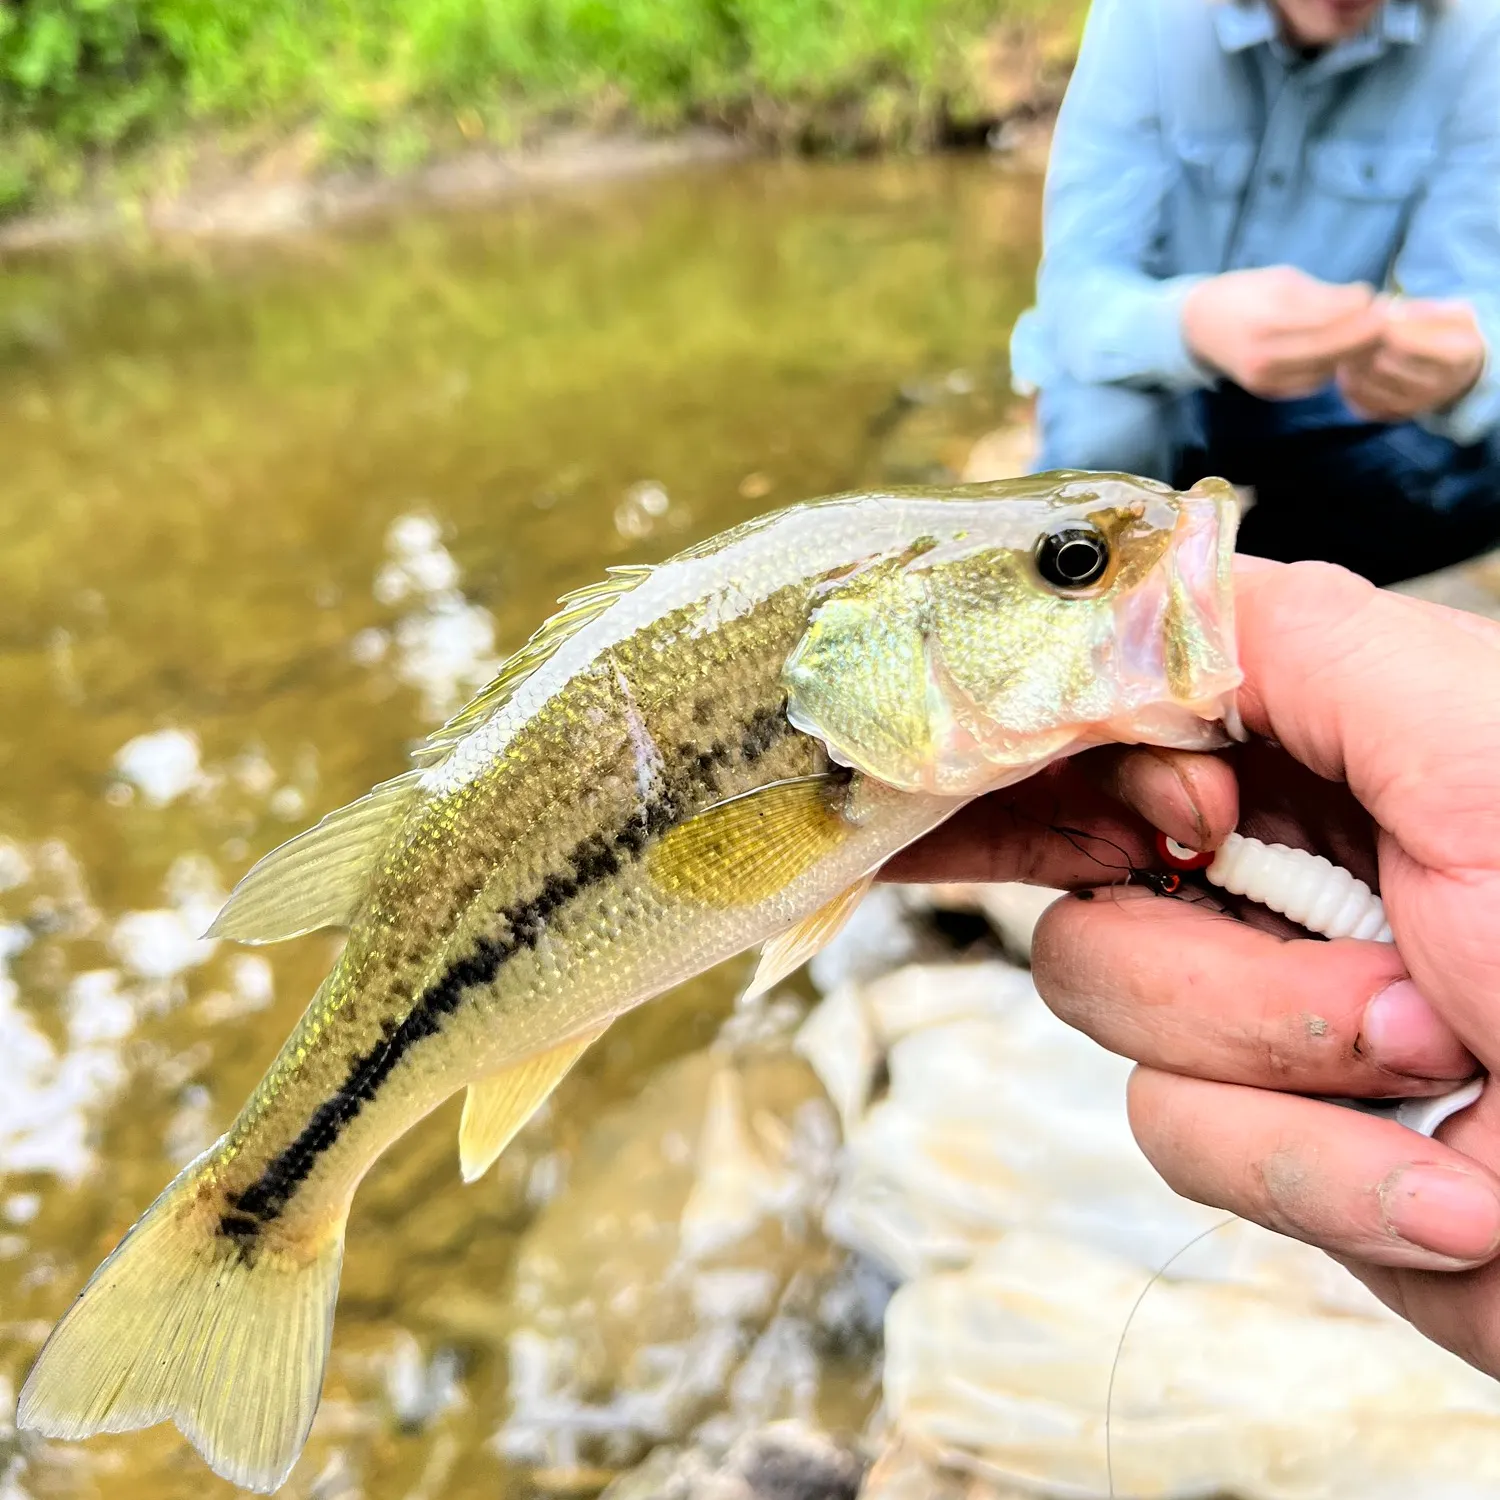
(266, 518)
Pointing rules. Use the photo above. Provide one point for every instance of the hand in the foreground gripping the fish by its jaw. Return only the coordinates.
(1385, 718)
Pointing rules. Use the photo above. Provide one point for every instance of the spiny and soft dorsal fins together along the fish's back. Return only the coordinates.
(320, 878)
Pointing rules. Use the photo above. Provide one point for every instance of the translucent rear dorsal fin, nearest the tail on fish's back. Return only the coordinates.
(319, 878)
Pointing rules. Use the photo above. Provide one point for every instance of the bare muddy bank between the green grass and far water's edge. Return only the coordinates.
(214, 190)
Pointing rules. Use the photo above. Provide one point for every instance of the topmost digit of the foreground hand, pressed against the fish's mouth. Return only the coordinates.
(1402, 700)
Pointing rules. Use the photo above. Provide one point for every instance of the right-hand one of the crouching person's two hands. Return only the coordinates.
(1429, 356)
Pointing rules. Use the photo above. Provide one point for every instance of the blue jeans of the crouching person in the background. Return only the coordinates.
(1390, 502)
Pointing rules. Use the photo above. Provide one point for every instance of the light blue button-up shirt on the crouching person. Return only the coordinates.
(1193, 142)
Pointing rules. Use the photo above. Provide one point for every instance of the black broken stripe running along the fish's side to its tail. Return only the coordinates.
(596, 859)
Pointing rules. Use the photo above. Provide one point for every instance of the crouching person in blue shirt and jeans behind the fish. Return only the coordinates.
(1273, 253)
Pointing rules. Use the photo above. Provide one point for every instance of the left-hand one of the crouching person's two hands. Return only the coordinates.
(1279, 332)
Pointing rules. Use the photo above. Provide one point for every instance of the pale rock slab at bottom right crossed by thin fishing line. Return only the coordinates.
(1001, 1370)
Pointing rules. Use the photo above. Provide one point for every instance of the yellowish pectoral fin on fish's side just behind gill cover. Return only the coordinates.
(748, 848)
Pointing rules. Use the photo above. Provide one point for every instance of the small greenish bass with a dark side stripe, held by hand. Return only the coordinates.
(686, 761)
